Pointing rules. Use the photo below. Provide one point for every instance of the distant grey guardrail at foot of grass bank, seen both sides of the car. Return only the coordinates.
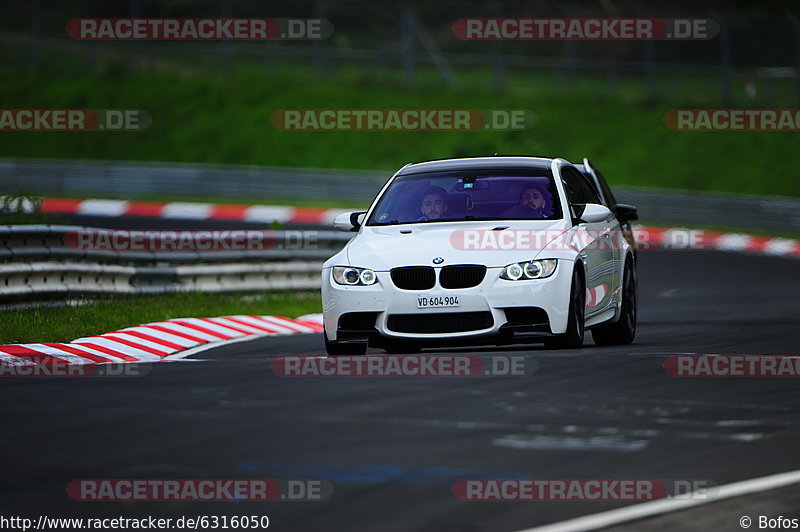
(217, 182)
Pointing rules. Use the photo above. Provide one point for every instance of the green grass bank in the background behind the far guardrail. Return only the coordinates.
(225, 119)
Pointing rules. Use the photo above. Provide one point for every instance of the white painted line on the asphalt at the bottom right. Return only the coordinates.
(661, 506)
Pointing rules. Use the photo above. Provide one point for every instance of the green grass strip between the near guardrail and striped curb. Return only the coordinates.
(67, 323)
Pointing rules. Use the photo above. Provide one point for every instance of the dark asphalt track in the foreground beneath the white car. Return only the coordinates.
(393, 447)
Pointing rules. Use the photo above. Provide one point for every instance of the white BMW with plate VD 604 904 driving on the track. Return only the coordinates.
(482, 250)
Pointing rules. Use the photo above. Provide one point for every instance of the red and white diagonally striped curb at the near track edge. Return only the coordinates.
(156, 341)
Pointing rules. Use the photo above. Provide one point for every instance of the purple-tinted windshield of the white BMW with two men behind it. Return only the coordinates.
(528, 194)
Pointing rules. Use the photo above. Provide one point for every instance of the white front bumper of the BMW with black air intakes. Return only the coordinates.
(496, 306)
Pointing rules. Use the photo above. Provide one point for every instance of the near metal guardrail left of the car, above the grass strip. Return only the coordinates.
(38, 263)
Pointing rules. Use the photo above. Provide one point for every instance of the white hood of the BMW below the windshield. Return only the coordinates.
(384, 247)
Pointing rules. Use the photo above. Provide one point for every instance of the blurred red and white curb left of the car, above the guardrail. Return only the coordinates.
(191, 211)
